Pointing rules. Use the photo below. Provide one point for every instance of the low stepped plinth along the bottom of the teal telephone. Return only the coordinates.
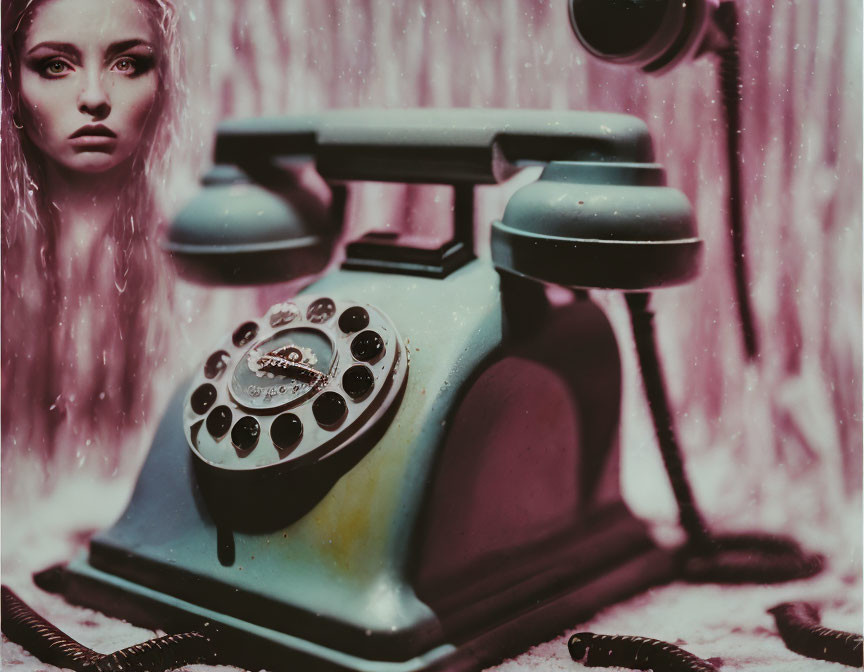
(255, 647)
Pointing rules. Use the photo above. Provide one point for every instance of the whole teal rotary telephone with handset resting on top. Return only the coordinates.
(413, 463)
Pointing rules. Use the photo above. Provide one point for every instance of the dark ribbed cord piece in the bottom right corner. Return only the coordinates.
(802, 631)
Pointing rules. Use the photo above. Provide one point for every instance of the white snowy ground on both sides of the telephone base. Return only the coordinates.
(729, 625)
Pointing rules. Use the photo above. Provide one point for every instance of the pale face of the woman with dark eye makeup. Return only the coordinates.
(88, 81)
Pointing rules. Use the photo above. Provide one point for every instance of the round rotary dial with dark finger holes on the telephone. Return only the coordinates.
(295, 385)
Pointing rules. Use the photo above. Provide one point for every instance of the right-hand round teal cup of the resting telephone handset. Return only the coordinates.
(599, 225)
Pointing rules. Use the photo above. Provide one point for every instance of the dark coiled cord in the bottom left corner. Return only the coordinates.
(24, 626)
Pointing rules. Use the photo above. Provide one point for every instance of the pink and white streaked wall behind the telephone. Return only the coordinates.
(796, 414)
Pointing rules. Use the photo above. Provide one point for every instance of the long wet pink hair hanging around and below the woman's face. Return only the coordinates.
(77, 355)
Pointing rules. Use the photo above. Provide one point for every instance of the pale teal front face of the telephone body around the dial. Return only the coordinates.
(346, 560)
